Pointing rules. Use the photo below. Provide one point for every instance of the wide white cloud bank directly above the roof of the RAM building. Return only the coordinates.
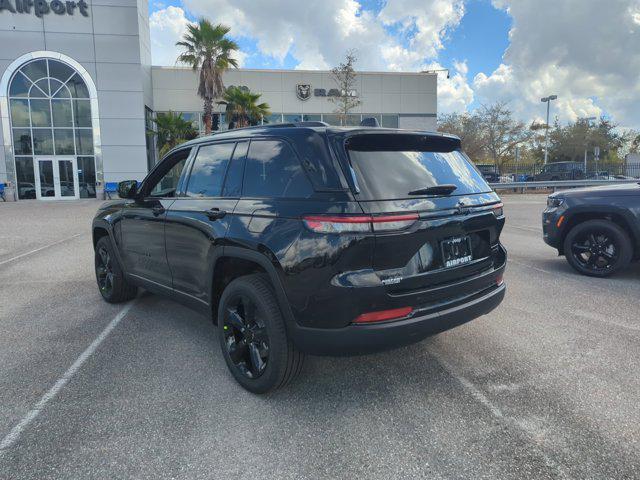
(317, 35)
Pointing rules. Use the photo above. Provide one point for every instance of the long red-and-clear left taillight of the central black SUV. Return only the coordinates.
(358, 223)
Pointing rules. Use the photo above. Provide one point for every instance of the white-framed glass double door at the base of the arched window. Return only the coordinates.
(56, 179)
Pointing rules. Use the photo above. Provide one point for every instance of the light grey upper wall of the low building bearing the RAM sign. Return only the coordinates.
(410, 97)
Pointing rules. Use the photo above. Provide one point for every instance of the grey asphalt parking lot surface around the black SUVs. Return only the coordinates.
(547, 386)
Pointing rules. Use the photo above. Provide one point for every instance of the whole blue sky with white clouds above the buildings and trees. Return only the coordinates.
(515, 51)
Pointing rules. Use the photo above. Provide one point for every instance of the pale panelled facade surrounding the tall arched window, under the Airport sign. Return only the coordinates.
(111, 46)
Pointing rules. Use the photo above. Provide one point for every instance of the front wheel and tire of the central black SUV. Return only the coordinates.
(117, 289)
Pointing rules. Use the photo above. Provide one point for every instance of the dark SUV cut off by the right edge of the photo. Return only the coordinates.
(597, 229)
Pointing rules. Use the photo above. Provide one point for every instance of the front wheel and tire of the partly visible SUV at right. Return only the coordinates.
(611, 244)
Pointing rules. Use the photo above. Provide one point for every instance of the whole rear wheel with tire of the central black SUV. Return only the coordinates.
(249, 319)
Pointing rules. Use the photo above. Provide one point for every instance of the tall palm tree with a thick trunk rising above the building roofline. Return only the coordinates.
(208, 50)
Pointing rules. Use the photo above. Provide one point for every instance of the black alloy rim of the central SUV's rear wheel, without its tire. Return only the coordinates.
(246, 338)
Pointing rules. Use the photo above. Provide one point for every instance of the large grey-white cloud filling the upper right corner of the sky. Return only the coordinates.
(584, 51)
